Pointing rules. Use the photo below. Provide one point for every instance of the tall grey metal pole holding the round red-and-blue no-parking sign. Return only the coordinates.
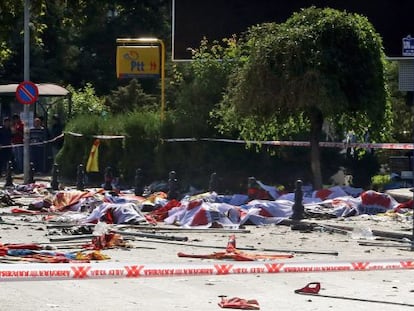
(26, 134)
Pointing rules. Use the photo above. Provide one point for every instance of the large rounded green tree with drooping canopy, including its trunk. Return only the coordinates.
(320, 63)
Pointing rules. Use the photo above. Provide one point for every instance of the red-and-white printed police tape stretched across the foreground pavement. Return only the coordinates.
(68, 271)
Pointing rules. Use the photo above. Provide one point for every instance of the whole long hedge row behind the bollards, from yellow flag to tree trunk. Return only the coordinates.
(143, 147)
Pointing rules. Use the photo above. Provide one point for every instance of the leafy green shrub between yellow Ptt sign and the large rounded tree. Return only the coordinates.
(200, 85)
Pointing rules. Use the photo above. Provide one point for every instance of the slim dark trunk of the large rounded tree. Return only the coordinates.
(316, 119)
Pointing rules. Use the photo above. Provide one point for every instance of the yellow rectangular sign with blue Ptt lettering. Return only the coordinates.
(138, 62)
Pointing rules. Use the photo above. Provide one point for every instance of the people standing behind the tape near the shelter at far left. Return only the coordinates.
(12, 143)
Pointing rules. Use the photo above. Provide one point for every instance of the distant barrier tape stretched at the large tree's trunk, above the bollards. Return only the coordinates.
(395, 146)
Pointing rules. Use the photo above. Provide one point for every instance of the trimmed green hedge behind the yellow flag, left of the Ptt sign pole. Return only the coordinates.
(140, 129)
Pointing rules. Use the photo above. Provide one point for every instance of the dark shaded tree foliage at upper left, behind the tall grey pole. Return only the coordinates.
(74, 42)
